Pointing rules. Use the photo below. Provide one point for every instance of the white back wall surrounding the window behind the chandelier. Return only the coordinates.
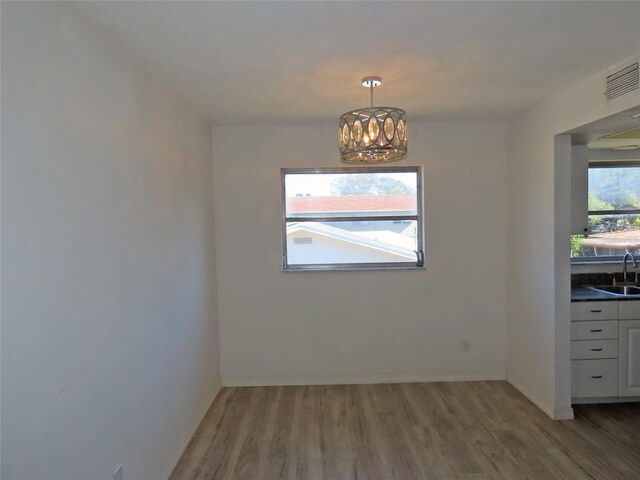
(316, 327)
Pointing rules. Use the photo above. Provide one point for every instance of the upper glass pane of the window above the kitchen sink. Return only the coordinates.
(616, 188)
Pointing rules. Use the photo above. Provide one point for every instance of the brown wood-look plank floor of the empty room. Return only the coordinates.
(461, 430)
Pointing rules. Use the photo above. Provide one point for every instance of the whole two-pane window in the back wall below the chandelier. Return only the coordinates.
(352, 218)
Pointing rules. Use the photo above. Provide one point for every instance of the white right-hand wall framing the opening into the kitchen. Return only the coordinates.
(538, 237)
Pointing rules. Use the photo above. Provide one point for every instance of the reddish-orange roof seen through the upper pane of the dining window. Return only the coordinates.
(351, 203)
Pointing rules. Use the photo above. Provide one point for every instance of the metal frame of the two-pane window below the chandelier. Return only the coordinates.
(419, 262)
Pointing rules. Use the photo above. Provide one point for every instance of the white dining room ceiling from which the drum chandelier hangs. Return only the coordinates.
(287, 62)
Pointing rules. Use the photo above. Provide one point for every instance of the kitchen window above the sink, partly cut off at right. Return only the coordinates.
(614, 213)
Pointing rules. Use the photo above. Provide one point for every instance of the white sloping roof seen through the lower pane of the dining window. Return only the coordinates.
(388, 242)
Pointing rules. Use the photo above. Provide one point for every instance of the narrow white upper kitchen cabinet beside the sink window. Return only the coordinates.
(579, 188)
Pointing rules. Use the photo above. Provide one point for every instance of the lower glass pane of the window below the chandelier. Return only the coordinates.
(348, 242)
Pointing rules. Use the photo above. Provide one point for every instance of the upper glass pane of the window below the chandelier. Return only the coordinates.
(350, 194)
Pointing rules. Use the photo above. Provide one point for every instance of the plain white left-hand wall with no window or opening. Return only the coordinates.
(109, 330)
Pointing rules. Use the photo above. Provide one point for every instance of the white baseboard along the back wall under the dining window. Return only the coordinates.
(361, 379)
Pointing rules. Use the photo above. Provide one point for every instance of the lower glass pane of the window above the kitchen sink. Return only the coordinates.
(612, 235)
